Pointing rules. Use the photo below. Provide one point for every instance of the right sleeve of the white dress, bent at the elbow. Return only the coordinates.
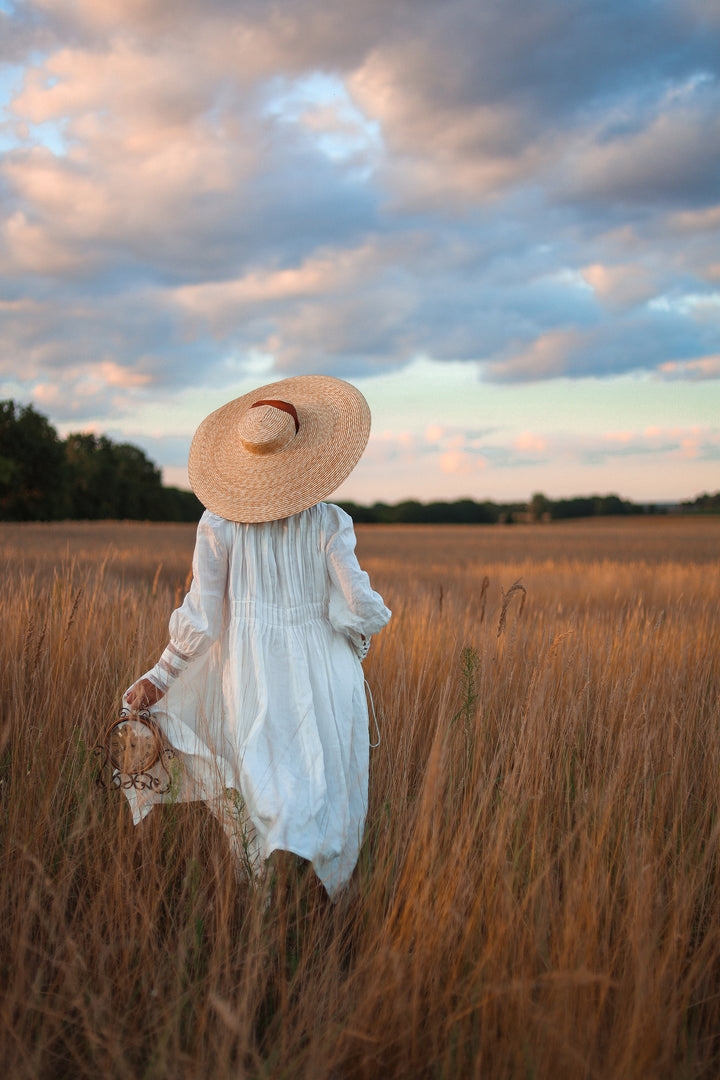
(356, 610)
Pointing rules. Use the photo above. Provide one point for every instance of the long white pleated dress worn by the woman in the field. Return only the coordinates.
(265, 690)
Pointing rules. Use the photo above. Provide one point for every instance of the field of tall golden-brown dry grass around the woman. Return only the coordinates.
(539, 890)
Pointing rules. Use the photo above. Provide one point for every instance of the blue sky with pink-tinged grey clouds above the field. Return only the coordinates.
(499, 219)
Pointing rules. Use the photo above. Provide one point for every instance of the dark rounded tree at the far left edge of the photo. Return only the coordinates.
(33, 480)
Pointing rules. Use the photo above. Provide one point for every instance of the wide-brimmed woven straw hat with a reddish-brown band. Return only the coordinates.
(279, 450)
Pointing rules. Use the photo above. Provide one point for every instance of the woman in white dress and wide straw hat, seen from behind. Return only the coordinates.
(261, 691)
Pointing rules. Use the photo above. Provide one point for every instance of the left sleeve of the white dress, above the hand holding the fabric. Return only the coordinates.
(198, 623)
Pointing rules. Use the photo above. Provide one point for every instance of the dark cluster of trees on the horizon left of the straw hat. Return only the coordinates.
(46, 478)
